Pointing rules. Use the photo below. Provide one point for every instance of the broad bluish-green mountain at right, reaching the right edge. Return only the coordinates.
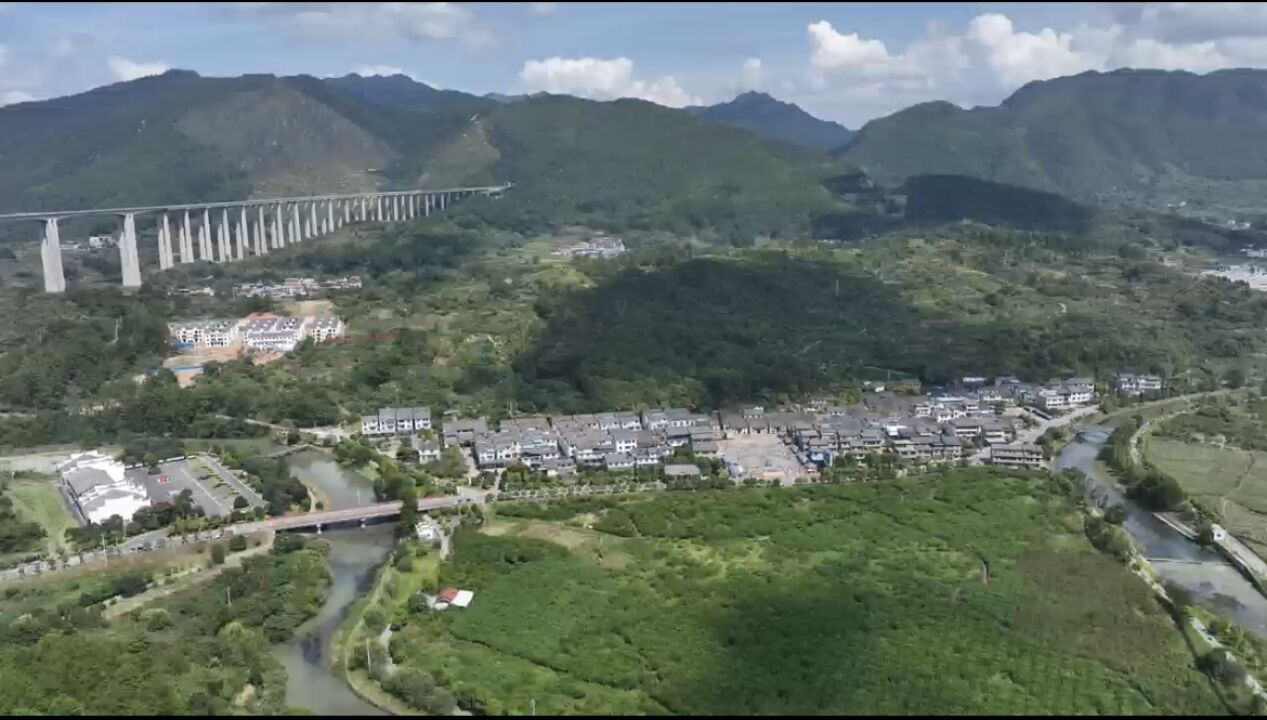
(1121, 139)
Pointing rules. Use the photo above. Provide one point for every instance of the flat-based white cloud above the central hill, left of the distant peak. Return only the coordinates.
(601, 79)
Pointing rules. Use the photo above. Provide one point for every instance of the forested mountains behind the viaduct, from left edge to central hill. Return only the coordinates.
(181, 138)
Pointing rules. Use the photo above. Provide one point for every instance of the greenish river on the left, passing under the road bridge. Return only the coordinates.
(355, 556)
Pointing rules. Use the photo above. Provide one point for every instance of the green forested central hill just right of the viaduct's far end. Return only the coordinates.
(637, 165)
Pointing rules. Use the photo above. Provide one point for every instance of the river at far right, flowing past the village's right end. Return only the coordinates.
(1217, 585)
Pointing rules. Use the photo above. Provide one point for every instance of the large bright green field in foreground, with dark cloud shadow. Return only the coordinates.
(961, 593)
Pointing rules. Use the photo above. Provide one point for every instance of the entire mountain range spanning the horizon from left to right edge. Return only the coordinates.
(753, 165)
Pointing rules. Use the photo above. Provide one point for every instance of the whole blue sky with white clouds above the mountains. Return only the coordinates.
(842, 61)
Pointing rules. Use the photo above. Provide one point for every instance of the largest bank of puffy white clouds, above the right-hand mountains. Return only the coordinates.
(853, 78)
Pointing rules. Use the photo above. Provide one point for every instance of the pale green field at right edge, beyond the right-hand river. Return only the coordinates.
(1230, 481)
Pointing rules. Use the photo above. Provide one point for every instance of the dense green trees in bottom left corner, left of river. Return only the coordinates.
(188, 655)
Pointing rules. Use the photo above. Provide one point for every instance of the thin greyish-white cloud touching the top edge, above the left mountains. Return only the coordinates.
(374, 22)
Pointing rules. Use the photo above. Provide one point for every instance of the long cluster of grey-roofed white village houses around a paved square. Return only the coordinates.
(999, 424)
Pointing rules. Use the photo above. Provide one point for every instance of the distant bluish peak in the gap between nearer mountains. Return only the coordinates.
(776, 120)
